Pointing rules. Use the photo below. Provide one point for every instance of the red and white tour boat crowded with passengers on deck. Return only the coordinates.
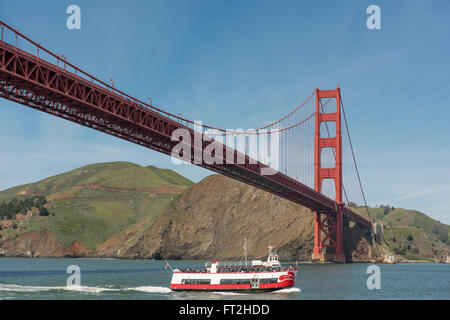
(256, 276)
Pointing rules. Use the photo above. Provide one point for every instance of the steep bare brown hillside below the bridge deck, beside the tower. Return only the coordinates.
(212, 219)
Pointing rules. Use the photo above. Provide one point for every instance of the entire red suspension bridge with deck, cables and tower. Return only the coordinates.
(306, 157)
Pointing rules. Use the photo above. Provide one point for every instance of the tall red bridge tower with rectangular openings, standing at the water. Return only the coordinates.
(328, 226)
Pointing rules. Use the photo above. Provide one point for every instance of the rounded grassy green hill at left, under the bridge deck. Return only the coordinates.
(92, 203)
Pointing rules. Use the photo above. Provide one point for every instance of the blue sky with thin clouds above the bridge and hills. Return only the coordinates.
(243, 64)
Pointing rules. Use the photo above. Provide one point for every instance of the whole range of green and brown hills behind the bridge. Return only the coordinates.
(124, 210)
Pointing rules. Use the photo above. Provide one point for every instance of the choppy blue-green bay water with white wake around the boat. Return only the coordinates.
(26, 278)
